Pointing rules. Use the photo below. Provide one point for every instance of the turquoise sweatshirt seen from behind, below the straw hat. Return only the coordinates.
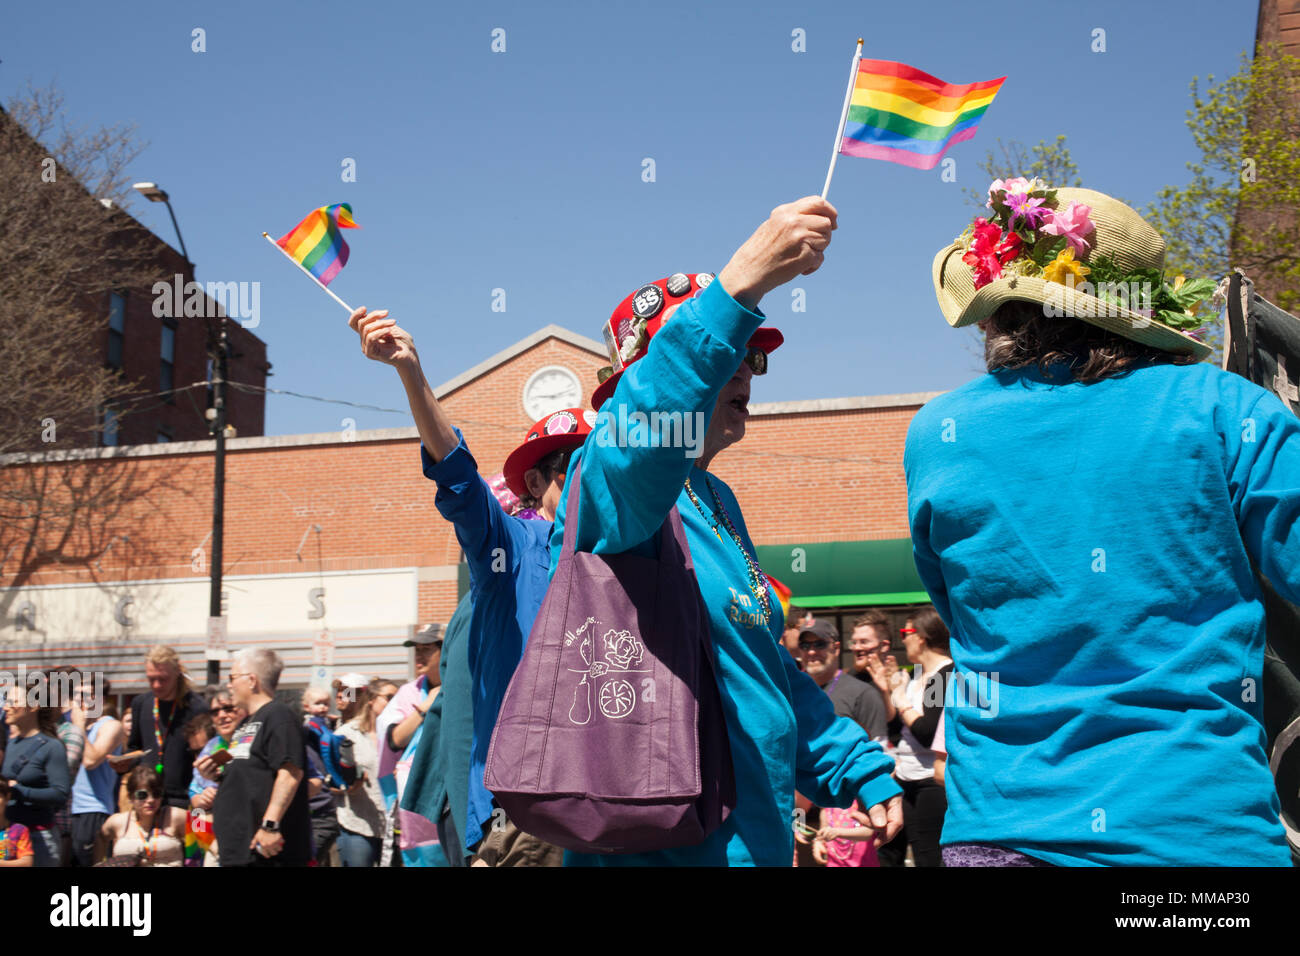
(1091, 547)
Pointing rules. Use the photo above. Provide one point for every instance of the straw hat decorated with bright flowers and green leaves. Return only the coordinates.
(1080, 253)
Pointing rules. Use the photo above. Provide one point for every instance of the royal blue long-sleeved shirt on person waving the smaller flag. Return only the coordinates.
(509, 565)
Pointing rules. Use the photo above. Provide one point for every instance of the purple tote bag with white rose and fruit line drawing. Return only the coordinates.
(612, 737)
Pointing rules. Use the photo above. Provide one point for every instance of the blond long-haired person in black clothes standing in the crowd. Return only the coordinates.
(163, 715)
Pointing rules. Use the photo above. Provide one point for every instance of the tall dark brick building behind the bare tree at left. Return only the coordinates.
(159, 344)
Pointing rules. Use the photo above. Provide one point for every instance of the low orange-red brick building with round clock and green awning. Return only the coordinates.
(339, 533)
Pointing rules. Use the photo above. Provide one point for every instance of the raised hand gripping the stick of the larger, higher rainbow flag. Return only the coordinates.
(792, 243)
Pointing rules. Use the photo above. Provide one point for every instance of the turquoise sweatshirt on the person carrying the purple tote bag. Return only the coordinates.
(783, 729)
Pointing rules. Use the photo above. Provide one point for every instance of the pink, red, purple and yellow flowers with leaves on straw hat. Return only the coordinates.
(1032, 235)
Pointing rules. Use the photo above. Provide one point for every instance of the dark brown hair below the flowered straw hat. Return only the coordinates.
(1020, 335)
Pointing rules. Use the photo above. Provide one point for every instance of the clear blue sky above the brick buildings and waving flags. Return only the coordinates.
(523, 171)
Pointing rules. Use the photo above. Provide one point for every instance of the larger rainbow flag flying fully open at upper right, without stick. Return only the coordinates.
(902, 115)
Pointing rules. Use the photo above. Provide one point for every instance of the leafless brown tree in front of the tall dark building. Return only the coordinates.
(62, 253)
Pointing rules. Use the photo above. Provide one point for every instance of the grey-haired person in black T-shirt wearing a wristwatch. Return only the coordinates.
(261, 816)
